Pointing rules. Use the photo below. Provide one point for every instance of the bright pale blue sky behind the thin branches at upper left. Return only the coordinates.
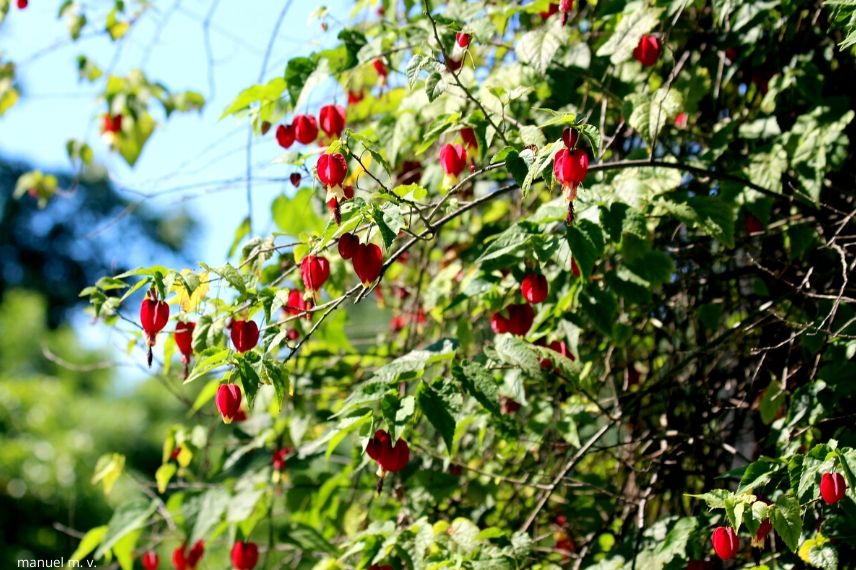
(168, 43)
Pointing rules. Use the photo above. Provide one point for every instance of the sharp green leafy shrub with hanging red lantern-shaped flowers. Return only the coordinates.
(616, 241)
